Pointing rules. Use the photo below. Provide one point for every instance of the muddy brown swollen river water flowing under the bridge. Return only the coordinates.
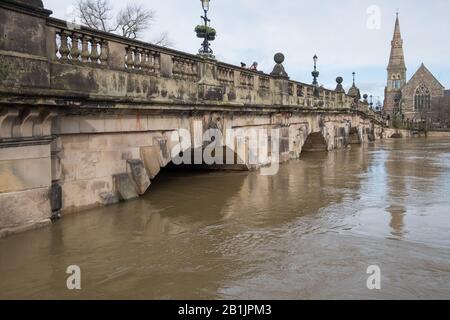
(309, 232)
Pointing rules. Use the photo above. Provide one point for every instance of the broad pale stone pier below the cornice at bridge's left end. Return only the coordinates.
(25, 169)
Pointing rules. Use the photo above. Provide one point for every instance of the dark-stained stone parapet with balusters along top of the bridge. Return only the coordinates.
(94, 67)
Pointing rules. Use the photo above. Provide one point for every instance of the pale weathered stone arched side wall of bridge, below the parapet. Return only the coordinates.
(91, 161)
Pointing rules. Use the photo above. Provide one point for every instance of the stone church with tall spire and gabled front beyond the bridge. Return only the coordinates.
(412, 99)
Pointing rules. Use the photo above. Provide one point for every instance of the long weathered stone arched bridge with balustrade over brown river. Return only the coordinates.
(88, 118)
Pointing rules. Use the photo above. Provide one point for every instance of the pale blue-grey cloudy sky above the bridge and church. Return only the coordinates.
(337, 31)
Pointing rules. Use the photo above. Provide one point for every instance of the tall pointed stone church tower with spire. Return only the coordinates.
(396, 73)
